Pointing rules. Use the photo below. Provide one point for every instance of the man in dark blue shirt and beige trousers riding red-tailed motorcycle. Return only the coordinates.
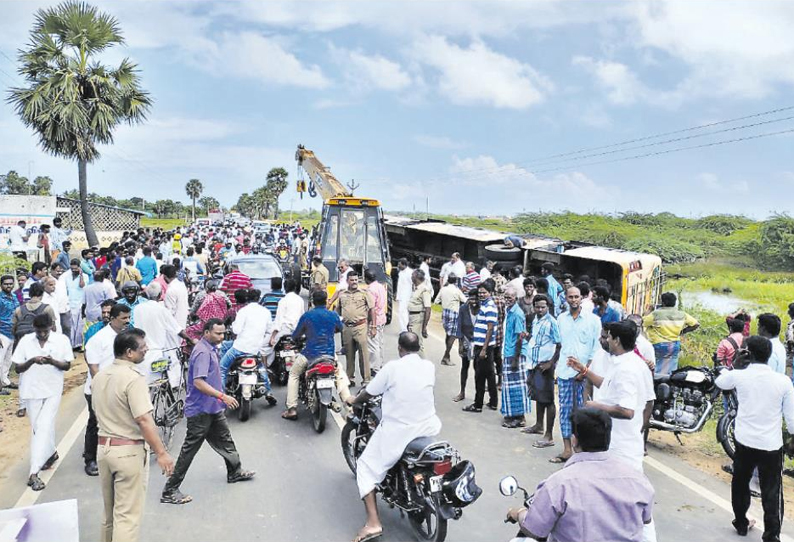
(318, 326)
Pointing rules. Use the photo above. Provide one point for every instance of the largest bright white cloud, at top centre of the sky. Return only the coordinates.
(478, 75)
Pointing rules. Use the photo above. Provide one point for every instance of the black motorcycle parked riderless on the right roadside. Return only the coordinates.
(684, 401)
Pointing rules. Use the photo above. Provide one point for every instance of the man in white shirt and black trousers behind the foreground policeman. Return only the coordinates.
(98, 355)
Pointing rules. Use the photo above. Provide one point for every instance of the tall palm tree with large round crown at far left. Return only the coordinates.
(73, 102)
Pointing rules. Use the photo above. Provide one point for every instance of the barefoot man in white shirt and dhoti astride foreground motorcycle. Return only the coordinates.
(409, 412)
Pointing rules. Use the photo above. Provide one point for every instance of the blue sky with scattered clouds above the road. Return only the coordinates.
(456, 107)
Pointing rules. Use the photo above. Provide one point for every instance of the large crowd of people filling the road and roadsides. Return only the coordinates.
(563, 343)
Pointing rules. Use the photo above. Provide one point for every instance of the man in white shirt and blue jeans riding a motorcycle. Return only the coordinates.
(251, 325)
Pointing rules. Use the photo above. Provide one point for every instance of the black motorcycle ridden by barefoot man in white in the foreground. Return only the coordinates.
(429, 484)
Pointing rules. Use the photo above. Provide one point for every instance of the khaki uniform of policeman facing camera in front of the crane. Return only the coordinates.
(355, 307)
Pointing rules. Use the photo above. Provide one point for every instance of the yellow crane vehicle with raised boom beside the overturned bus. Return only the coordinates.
(351, 227)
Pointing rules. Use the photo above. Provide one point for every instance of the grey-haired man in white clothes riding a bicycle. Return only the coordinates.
(163, 335)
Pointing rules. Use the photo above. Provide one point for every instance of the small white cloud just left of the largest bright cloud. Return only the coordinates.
(370, 72)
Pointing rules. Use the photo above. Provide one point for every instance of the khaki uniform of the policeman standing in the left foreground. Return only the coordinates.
(119, 395)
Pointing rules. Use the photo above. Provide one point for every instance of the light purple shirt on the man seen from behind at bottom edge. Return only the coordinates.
(595, 497)
